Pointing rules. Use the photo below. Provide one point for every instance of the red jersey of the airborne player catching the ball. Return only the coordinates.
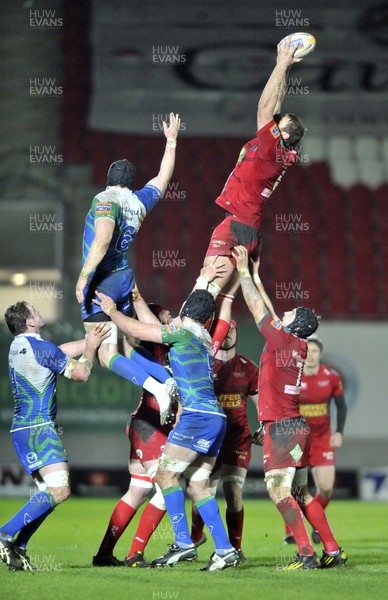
(260, 167)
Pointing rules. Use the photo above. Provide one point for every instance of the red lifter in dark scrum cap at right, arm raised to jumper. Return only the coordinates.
(287, 435)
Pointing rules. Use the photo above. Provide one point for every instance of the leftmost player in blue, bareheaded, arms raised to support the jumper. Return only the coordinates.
(34, 364)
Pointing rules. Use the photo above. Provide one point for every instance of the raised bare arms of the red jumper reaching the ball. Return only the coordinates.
(272, 96)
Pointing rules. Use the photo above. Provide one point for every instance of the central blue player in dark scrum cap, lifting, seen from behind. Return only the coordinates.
(193, 445)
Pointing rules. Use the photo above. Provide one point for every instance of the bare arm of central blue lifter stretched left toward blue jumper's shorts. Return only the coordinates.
(143, 331)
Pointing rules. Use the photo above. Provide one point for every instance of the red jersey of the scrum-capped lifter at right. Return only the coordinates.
(281, 369)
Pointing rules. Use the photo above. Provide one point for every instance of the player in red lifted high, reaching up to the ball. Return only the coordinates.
(261, 166)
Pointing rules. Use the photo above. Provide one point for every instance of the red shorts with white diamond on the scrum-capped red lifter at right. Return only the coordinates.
(286, 444)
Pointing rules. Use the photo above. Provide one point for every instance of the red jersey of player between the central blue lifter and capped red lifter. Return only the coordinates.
(235, 380)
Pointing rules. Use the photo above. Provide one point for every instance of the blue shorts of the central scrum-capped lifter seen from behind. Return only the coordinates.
(201, 432)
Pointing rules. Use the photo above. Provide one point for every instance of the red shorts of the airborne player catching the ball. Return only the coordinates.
(230, 233)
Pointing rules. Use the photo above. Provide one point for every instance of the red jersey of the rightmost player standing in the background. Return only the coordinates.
(315, 395)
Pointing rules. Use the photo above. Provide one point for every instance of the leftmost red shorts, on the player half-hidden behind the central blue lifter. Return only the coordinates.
(147, 442)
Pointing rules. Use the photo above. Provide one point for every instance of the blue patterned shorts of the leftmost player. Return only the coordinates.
(38, 447)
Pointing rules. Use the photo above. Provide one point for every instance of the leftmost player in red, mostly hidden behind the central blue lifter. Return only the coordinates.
(147, 438)
